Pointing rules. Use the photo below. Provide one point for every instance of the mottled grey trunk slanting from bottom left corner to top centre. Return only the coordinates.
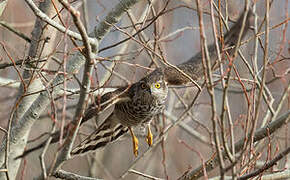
(20, 131)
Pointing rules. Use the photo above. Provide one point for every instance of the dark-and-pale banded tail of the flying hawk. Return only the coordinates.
(106, 133)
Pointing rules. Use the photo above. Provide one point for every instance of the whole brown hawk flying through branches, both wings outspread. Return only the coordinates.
(140, 102)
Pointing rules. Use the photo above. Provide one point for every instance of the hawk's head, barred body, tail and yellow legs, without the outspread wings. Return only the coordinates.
(144, 100)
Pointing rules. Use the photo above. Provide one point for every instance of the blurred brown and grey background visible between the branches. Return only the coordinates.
(174, 36)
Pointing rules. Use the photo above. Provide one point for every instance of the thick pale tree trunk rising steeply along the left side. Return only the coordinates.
(30, 83)
